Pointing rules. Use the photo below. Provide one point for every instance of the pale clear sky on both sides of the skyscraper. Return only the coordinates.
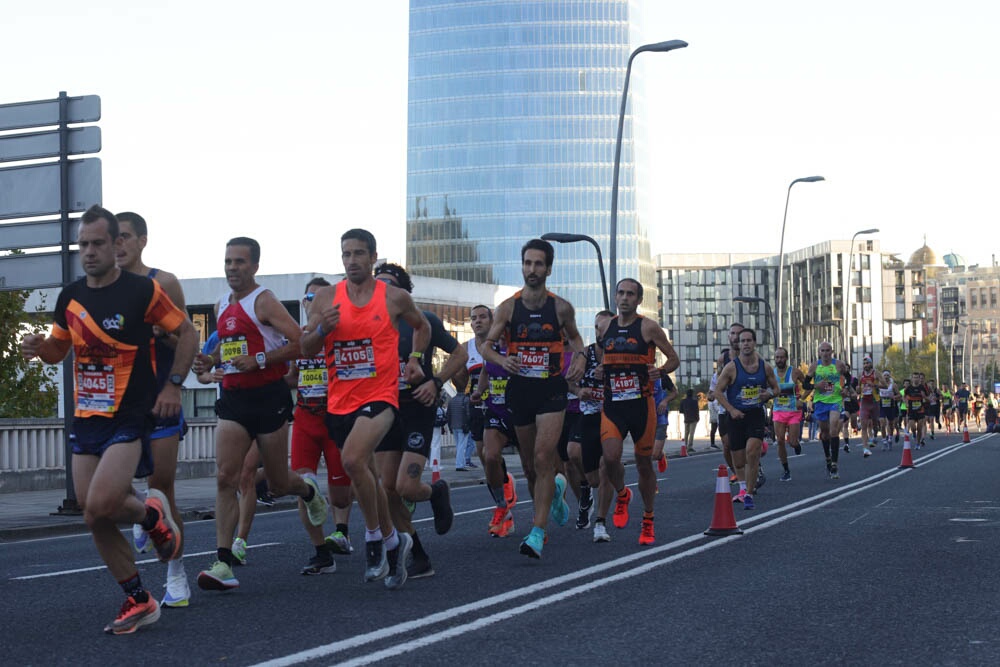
(287, 122)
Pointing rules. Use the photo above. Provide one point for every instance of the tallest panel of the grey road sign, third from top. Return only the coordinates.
(34, 190)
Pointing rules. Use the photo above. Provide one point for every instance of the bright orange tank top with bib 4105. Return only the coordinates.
(361, 354)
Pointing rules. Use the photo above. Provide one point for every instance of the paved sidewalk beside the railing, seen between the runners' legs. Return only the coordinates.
(32, 514)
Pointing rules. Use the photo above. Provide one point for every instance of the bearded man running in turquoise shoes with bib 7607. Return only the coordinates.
(535, 321)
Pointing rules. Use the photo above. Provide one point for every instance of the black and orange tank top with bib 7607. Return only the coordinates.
(535, 338)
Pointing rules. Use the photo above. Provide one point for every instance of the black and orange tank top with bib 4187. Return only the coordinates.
(627, 356)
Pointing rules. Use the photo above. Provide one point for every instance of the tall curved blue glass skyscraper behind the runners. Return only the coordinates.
(513, 113)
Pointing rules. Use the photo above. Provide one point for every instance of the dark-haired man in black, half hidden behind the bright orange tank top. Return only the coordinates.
(402, 455)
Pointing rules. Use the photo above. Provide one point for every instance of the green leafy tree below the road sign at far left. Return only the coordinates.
(27, 388)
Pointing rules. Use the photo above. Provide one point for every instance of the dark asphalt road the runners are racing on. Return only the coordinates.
(883, 567)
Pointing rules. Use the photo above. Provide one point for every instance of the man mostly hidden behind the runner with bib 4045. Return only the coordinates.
(166, 437)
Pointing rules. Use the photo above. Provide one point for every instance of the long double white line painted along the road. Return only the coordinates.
(381, 634)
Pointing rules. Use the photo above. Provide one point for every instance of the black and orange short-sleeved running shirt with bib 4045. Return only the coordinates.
(110, 328)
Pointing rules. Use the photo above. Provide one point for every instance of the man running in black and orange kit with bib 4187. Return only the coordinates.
(630, 342)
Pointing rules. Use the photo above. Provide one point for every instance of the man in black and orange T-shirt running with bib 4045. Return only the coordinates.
(107, 318)
